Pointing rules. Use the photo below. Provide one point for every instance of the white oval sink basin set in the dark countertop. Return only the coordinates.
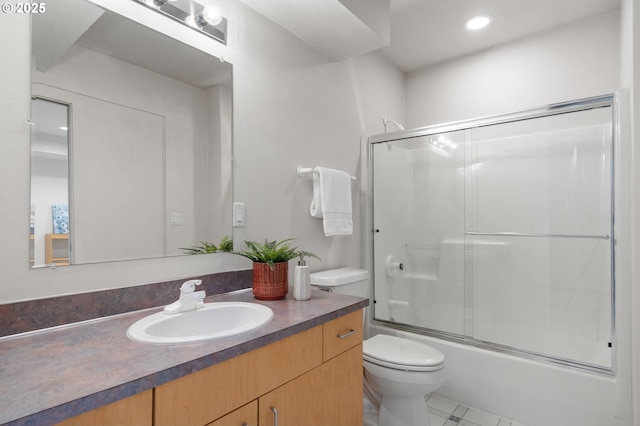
(213, 320)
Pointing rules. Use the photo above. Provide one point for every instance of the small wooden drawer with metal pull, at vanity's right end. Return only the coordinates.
(341, 334)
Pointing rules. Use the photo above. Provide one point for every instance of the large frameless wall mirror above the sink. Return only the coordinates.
(131, 140)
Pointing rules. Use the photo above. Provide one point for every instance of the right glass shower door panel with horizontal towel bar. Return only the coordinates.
(539, 228)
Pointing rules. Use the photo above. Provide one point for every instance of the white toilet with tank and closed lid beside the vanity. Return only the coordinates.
(398, 372)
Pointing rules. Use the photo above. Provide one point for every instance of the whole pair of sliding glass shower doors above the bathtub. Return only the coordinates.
(500, 234)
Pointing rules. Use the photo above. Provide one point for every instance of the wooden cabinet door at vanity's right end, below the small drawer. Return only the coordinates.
(327, 395)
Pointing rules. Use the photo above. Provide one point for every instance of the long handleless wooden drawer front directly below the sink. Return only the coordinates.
(206, 395)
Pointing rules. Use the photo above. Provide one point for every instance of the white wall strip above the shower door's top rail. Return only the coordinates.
(572, 62)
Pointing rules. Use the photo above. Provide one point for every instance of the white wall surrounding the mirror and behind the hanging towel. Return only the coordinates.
(292, 107)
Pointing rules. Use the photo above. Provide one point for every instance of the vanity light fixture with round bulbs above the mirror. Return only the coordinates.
(207, 20)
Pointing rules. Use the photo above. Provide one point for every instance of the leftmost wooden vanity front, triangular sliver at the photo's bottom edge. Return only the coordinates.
(134, 410)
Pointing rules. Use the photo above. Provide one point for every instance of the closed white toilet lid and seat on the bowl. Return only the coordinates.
(403, 354)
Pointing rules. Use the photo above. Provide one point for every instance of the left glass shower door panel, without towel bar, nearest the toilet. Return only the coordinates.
(418, 197)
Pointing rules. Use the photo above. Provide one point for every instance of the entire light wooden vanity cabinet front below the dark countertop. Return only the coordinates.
(311, 378)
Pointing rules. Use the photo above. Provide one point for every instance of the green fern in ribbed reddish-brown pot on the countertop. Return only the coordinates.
(271, 266)
